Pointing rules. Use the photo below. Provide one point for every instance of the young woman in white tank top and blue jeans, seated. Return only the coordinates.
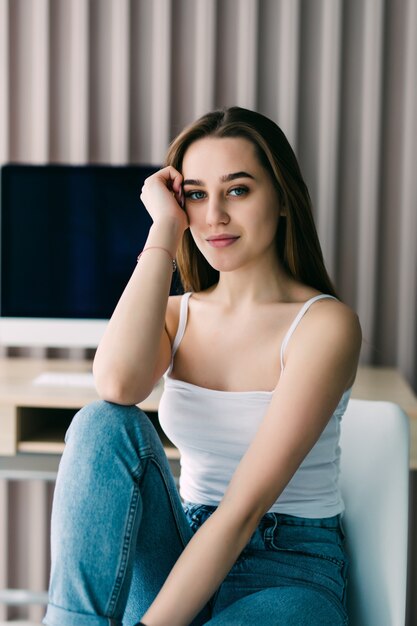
(259, 358)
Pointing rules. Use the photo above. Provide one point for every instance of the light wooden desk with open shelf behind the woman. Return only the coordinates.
(33, 418)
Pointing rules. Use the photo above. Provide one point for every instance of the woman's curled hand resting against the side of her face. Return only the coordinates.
(163, 196)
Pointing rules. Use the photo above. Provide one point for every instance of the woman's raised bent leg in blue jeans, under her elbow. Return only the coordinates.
(117, 522)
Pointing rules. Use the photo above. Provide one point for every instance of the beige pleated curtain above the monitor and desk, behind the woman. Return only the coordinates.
(112, 81)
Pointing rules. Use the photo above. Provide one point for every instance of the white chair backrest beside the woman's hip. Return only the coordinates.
(374, 482)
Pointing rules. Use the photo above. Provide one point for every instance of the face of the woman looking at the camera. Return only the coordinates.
(231, 202)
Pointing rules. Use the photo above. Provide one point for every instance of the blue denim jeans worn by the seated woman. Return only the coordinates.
(119, 525)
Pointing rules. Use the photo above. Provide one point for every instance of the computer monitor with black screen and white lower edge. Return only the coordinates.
(70, 236)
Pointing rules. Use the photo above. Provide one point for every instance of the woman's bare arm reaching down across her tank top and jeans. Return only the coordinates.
(321, 363)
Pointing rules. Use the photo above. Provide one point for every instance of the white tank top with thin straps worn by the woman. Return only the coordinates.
(213, 429)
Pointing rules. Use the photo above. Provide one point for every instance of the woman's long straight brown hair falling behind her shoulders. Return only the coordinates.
(297, 242)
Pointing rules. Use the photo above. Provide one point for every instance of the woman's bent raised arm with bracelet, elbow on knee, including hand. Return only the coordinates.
(135, 348)
